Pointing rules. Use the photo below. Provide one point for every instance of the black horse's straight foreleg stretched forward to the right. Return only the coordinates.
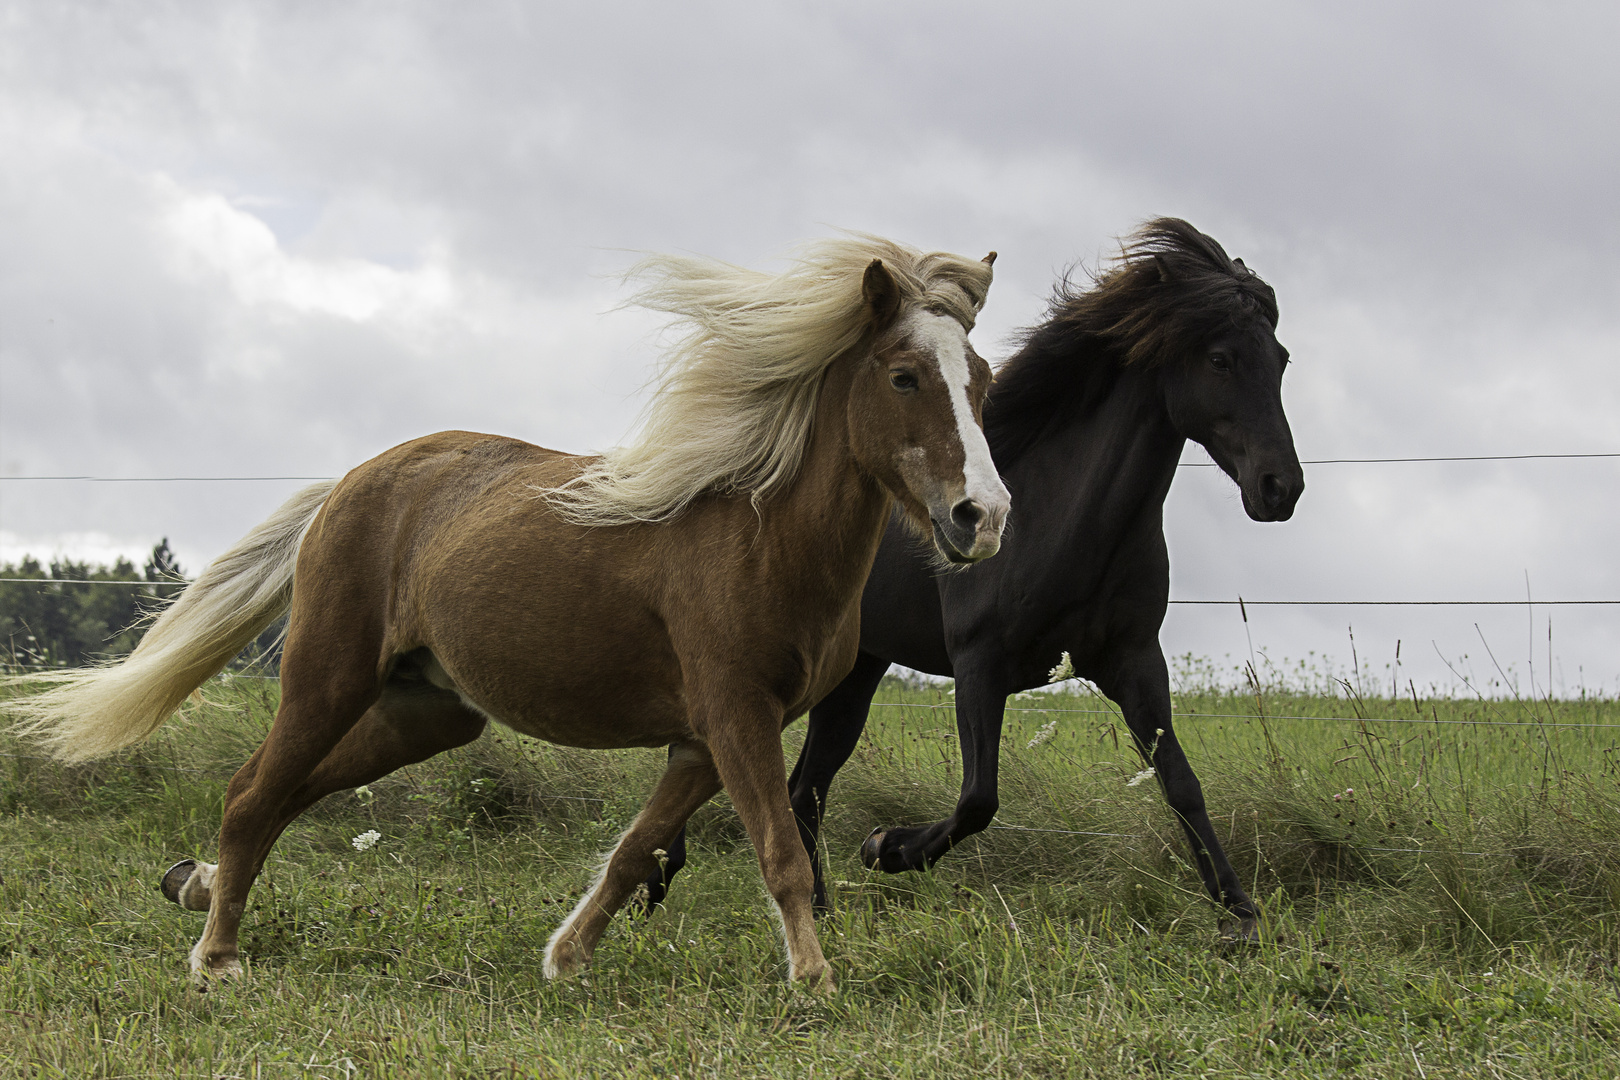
(1141, 686)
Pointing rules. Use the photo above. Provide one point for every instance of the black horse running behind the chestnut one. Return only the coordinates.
(1086, 423)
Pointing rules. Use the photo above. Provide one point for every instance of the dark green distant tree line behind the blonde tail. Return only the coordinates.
(51, 619)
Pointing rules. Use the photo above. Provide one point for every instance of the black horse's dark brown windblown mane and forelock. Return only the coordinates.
(1169, 291)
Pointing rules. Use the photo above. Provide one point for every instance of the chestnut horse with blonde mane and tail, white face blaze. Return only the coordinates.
(463, 579)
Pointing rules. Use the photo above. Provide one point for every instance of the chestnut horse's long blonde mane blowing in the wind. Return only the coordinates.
(735, 396)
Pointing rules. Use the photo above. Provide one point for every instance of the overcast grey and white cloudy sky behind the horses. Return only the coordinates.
(273, 240)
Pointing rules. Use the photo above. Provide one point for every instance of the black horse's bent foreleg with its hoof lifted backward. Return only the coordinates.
(981, 705)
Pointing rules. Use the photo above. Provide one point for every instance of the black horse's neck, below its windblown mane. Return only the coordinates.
(1107, 461)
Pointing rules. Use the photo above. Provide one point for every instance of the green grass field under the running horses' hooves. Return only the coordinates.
(1443, 899)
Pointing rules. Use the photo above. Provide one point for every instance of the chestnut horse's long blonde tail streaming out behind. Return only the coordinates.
(92, 713)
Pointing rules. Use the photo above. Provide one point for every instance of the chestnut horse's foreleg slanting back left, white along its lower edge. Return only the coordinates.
(689, 781)
